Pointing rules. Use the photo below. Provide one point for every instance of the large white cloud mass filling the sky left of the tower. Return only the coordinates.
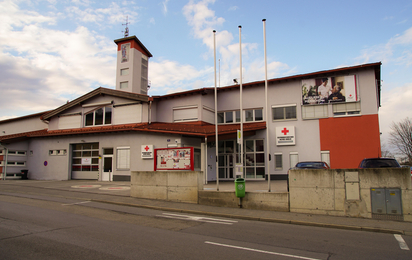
(51, 66)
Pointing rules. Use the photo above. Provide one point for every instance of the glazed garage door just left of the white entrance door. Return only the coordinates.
(85, 161)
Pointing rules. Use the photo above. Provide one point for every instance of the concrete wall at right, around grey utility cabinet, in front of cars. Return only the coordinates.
(346, 192)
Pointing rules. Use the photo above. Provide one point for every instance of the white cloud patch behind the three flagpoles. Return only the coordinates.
(203, 21)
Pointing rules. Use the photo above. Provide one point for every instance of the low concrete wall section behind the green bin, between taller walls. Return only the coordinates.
(252, 200)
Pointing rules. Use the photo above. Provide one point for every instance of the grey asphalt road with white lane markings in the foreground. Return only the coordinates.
(48, 226)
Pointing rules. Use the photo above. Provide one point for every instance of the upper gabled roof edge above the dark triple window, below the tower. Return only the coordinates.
(96, 92)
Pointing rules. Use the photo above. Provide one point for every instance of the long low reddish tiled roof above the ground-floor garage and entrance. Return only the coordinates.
(188, 129)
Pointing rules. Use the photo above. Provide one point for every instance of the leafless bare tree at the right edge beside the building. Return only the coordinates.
(401, 137)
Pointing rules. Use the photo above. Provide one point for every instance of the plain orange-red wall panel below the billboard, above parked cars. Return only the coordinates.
(350, 139)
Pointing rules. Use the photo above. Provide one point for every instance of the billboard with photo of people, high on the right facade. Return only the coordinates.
(329, 90)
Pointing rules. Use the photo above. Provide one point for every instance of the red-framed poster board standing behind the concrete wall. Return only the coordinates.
(174, 159)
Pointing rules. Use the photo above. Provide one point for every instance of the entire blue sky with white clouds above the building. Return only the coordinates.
(53, 51)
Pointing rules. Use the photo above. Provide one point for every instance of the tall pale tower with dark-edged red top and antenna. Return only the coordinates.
(132, 65)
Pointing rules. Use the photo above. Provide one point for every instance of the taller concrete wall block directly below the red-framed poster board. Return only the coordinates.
(179, 186)
